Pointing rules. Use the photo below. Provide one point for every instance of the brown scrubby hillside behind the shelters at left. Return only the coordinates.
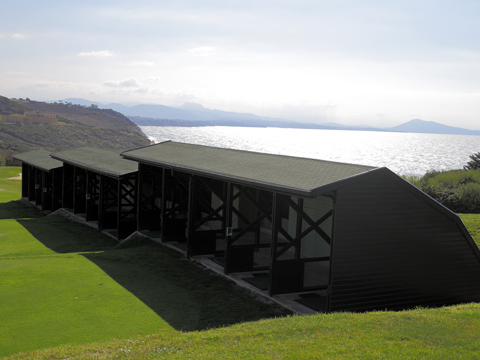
(78, 126)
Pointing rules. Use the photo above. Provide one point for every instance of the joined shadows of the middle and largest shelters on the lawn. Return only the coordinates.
(185, 295)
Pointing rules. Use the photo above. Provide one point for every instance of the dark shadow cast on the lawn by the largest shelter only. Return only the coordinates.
(185, 295)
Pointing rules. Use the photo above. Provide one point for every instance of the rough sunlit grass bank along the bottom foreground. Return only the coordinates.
(445, 333)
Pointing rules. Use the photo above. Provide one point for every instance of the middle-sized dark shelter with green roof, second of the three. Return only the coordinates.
(101, 186)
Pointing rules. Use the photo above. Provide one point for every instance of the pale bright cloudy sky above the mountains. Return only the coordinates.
(354, 62)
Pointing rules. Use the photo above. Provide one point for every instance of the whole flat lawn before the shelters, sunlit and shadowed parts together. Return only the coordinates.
(64, 283)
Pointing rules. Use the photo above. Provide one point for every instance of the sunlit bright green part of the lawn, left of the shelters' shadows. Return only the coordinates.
(49, 298)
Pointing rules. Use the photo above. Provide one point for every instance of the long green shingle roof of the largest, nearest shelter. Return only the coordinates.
(275, 172)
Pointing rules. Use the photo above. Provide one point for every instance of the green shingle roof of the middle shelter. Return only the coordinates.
(97, 160)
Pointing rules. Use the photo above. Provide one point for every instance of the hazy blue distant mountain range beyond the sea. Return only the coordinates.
(192, 114)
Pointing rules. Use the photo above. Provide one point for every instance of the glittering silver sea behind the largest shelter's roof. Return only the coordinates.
(403, 153)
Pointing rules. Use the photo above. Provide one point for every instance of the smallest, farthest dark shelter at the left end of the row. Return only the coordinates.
(41, 179)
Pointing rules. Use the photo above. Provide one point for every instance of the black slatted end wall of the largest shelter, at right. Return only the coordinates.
(393, 250)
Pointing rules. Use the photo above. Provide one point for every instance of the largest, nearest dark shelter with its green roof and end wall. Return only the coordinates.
(360, 235)
